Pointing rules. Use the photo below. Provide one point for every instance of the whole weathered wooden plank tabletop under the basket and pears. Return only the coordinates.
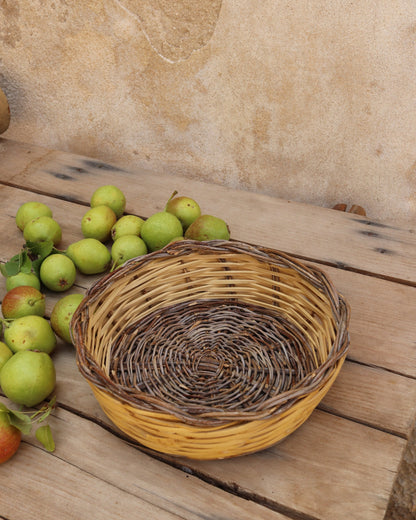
(340, 464)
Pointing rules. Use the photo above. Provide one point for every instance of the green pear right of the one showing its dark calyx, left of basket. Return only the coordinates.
(89, 255)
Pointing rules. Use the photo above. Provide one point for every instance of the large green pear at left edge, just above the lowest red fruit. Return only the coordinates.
(28, 377)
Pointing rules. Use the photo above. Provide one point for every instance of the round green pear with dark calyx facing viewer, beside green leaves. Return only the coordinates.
(58, 272)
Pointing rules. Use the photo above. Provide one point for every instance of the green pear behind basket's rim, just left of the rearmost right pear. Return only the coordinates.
(159, 229)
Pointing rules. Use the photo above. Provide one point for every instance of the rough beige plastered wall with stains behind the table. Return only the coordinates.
(311, 101)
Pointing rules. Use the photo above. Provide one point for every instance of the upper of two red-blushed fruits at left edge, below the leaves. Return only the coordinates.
(23, 301)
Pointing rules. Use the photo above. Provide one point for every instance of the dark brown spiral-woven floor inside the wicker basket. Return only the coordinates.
(211, 355)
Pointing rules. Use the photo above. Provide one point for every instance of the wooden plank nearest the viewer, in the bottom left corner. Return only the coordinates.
(96, 475)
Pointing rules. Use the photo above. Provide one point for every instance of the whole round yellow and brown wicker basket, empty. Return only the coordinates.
(211, 349)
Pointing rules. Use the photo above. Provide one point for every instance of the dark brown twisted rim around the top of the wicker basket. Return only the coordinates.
(95, 375)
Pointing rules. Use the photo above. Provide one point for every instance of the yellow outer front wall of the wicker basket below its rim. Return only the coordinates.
(167, 434)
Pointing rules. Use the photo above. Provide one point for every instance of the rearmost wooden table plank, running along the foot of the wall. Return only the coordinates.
(334, 237)
